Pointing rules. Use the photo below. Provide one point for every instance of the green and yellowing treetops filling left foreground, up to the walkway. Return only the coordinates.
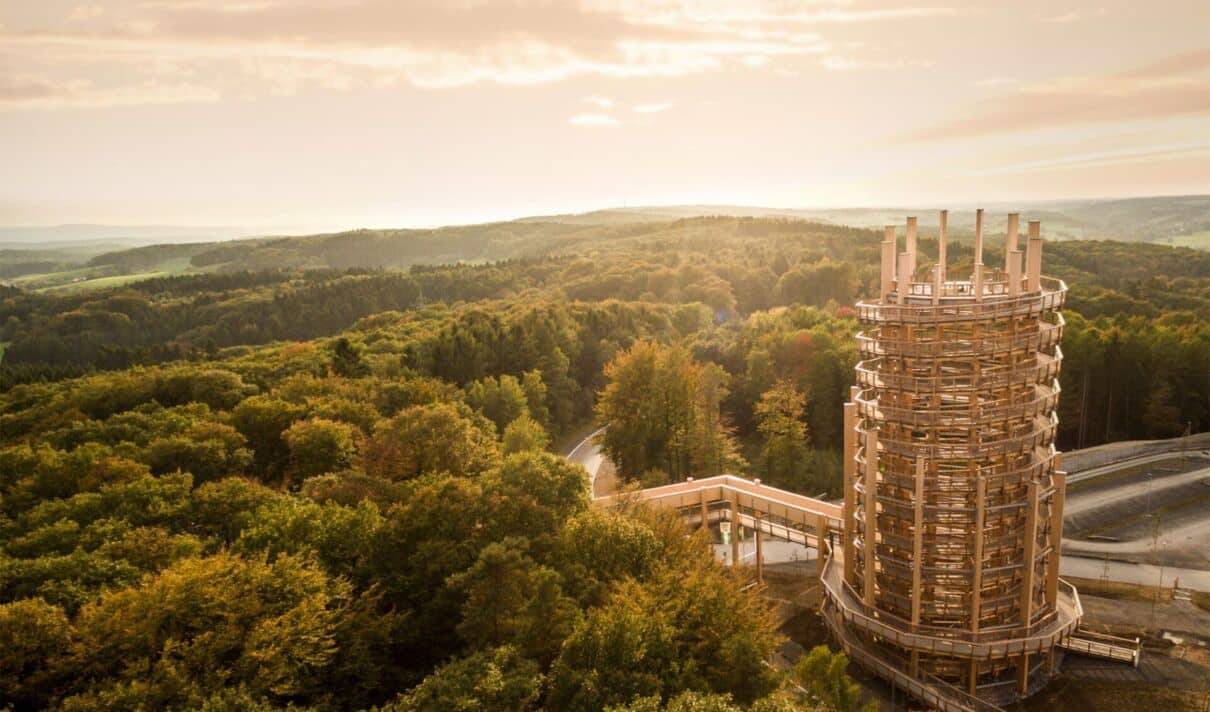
(343, 524)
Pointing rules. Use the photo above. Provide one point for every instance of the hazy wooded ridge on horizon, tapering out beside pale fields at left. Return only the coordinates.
(1149, 220)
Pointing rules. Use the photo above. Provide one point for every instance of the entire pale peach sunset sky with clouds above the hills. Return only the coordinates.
(331, 114)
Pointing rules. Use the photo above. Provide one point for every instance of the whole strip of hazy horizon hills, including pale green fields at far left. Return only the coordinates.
(1178, 221)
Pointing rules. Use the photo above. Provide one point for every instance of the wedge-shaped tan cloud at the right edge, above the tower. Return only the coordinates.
(1171, 88)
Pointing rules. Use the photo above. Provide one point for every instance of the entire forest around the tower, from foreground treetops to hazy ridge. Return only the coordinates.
(331, 489)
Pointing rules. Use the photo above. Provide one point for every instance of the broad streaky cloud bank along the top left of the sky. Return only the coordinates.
(250, 48)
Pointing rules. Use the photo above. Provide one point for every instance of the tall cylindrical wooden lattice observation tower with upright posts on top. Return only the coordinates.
(953, 514)
